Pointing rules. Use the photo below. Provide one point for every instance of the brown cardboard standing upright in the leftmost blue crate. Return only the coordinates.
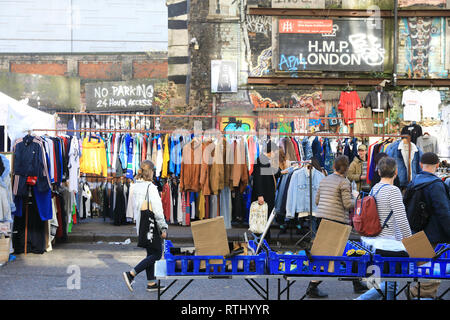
(210, 238)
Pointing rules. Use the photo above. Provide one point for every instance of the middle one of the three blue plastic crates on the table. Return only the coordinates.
(320, 265)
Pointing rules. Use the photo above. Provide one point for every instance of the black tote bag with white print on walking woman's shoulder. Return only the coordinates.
(149, 233)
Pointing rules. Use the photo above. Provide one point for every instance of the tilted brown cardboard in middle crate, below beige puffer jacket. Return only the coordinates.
(330, 240)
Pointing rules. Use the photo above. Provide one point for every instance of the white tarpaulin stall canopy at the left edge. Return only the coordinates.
(20, 117)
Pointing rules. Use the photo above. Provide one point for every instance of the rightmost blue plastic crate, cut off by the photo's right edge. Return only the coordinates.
(394, 267)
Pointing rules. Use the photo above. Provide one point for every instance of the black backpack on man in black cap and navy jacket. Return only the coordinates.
(417, 209)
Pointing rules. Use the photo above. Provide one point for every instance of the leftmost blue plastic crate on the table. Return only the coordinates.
(237, 265)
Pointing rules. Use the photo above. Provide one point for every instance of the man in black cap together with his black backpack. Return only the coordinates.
(427, 203)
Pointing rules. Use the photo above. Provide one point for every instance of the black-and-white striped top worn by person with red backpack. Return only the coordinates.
(390, 198)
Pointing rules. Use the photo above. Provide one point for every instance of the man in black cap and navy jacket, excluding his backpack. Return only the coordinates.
(438, 202)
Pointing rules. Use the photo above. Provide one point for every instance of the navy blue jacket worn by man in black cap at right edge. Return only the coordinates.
(438, 229)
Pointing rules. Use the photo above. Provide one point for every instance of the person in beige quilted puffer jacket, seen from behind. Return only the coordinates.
(334, 200)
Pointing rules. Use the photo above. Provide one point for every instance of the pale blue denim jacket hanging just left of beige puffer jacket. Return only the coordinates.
(298, 197)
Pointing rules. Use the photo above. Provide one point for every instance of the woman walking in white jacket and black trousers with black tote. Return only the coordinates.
(145, 201)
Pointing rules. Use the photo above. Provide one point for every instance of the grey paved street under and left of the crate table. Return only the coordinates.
(100, 265)
